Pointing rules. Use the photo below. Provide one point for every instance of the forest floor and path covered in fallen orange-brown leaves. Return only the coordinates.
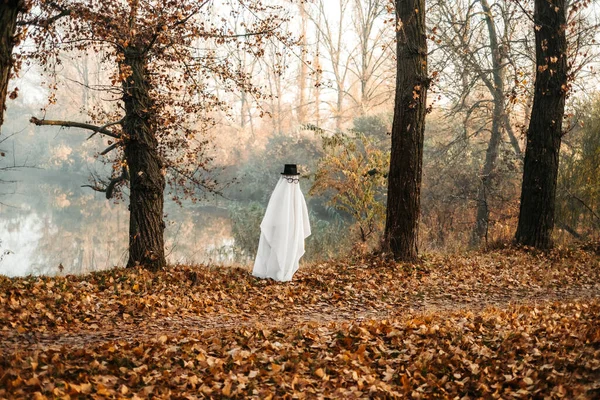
(501, 324)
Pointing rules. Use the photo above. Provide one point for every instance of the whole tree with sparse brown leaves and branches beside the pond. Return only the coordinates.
(167, 73)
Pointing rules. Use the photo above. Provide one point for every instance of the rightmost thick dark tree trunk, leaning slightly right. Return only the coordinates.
(540, 170)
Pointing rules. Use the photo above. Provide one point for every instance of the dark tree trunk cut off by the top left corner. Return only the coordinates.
(9, 11)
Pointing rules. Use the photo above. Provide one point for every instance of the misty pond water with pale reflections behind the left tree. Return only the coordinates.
(80, 232)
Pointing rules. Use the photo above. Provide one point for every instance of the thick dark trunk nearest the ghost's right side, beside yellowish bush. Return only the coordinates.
(404, 178)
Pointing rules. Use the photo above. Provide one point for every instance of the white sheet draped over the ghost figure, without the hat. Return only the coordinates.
(284, 228)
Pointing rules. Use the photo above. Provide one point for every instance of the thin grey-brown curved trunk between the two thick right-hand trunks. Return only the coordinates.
(483, 210)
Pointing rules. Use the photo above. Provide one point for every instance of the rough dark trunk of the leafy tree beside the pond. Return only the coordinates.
(147, 182)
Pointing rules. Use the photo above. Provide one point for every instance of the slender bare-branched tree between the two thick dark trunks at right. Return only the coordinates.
(479, 50)
